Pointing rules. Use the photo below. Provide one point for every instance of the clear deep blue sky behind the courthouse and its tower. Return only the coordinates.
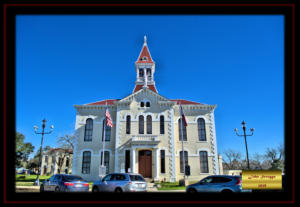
(234, 61)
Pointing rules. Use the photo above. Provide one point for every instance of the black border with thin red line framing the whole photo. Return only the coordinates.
(10, 10)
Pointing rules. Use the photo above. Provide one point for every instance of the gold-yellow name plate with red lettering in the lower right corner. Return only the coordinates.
(261, 179)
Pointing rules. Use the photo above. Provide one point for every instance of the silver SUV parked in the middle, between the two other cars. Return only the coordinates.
(120, 182)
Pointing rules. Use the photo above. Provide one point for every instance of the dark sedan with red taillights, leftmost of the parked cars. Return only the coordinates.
(65, 183)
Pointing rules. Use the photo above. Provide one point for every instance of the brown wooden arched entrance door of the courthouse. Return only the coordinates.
(145, 163)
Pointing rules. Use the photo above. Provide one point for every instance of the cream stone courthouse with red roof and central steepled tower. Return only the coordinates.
(145, 137)
